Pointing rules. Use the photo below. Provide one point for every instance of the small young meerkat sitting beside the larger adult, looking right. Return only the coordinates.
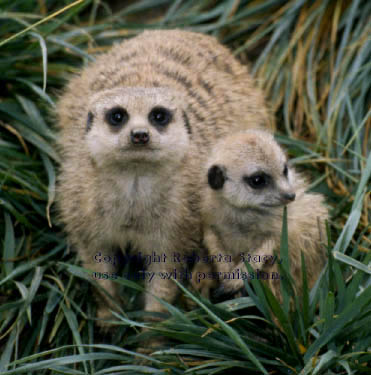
(248, 183)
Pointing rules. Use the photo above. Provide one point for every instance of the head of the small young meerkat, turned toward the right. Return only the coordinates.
(250, 170)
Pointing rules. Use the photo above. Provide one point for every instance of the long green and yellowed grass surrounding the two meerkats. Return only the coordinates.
(312, 60)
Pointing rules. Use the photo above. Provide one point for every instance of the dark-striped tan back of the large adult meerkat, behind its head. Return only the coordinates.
(220, 94)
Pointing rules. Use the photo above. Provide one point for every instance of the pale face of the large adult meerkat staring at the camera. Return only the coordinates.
(126, 126)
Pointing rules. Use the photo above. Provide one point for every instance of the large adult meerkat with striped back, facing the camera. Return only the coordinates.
(135, 127)
